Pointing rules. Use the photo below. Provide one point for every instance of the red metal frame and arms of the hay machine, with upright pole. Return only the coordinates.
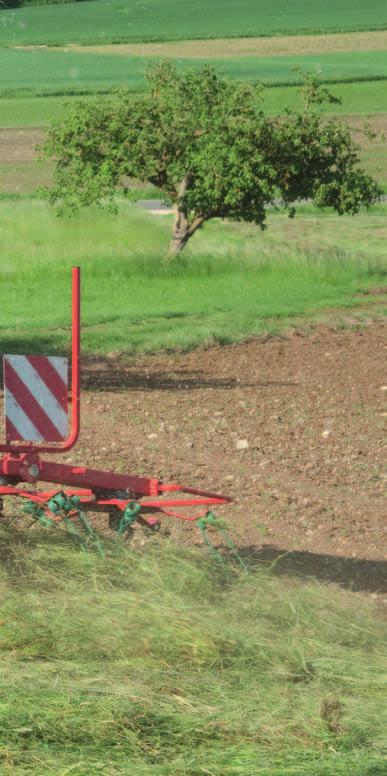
(98, 490)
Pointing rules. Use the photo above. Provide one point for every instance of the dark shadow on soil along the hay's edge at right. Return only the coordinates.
(356, 574)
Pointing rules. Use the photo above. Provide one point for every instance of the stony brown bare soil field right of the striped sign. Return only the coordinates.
(311, 409)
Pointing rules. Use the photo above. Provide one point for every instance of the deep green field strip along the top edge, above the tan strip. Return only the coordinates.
(120, 20)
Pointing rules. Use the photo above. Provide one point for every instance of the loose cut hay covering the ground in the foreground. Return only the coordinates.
(163, 661)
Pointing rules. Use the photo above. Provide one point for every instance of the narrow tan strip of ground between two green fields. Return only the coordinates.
(241, 47)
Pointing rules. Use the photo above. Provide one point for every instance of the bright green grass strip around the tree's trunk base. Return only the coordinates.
(232, 282)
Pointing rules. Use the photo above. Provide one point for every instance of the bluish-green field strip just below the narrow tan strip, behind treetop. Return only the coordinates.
(45, 71)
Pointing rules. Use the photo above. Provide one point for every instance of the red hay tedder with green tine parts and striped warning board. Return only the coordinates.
(38, 407)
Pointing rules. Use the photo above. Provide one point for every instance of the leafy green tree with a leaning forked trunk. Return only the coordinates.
(210, 147)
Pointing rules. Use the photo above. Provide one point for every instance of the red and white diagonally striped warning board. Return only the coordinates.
(35, 393)
